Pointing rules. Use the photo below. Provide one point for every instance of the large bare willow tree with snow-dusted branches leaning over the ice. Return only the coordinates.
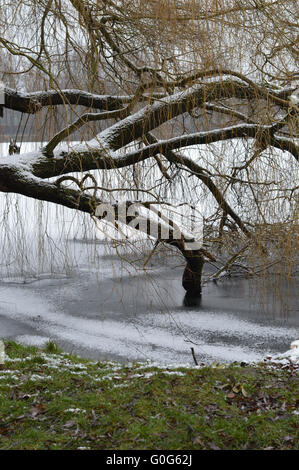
(141, 82)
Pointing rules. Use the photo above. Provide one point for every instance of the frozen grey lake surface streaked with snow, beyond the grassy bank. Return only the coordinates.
(112, 311)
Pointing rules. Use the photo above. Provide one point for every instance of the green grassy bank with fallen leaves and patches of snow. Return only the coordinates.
(51, 400)
